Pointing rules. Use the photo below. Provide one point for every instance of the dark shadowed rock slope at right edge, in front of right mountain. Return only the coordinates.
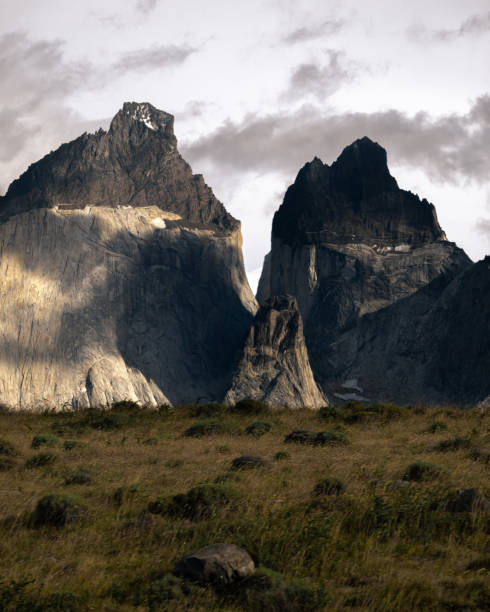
(433, 345)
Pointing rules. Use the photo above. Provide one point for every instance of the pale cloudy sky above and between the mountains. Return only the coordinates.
(260, 87)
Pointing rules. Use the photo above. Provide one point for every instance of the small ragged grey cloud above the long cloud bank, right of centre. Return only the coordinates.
(320, 82)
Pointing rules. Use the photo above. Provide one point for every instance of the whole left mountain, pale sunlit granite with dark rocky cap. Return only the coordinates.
(121, 275)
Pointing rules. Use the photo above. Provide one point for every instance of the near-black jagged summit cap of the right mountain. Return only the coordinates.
(355, 200)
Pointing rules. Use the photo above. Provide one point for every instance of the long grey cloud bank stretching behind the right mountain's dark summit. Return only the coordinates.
(451, 148)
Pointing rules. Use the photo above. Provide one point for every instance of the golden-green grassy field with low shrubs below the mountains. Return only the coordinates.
(347, 522)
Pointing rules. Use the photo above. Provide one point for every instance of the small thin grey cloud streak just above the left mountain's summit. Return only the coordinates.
(152, 58)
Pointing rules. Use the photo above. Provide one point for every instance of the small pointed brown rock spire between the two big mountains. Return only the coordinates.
(274, 366)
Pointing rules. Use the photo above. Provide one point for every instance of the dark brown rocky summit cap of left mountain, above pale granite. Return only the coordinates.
(135, 163)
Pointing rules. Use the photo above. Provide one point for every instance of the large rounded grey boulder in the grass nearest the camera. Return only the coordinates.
(218, 564)
